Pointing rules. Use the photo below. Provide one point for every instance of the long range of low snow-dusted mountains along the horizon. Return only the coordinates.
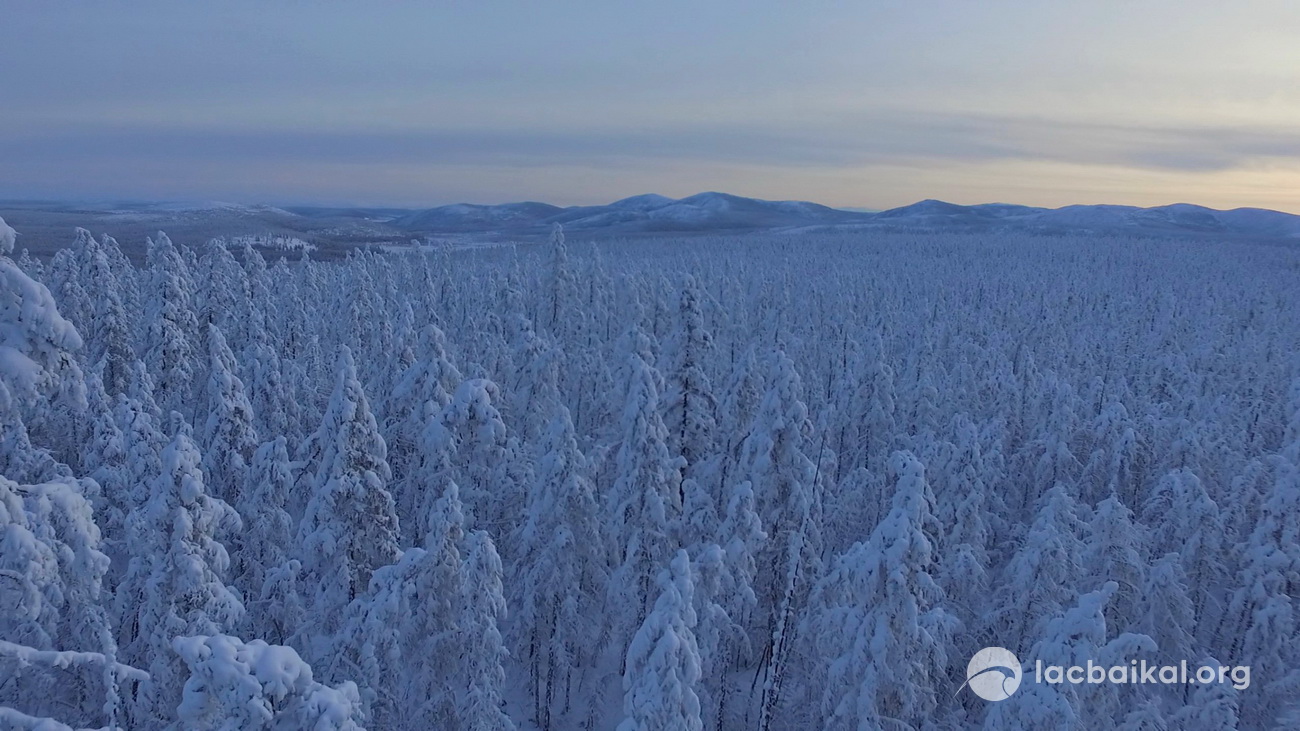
(47, 226)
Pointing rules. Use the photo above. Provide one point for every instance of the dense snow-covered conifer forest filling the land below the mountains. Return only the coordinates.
(749, 483)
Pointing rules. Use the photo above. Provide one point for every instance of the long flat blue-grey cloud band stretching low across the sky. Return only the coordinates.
(846, 142)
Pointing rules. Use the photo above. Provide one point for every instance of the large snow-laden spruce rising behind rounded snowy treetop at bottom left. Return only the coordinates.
(176, 585)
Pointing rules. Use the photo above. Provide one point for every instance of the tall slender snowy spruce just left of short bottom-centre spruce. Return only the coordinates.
(561, 576)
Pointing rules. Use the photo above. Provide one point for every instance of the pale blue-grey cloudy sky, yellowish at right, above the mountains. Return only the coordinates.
(870, 105)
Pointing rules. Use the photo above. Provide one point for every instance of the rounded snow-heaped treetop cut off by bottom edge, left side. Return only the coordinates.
(255, 686)
